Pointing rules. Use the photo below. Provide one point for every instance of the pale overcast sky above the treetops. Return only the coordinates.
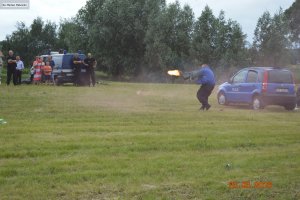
(245, 12)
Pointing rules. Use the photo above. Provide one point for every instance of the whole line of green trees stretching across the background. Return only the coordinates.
(134, 37)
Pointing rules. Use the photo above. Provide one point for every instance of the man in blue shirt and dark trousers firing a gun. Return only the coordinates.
(207, 80)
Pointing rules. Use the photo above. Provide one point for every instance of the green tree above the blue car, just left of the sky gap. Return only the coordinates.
(217, 41)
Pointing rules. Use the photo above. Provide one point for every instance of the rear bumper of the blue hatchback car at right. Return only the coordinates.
(279, 99)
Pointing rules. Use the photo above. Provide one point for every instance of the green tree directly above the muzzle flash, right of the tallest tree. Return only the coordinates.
(168, 38)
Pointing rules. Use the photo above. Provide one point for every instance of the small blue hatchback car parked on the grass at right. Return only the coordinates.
(259, 87)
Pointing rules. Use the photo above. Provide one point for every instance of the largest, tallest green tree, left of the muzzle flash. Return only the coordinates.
(116, 31)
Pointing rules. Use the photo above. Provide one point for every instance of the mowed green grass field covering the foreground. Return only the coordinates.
(142, 141)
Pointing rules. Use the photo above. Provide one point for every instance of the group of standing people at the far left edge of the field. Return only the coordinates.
(15, 66)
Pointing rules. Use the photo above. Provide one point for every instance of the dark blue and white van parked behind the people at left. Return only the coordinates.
(63, 71)
